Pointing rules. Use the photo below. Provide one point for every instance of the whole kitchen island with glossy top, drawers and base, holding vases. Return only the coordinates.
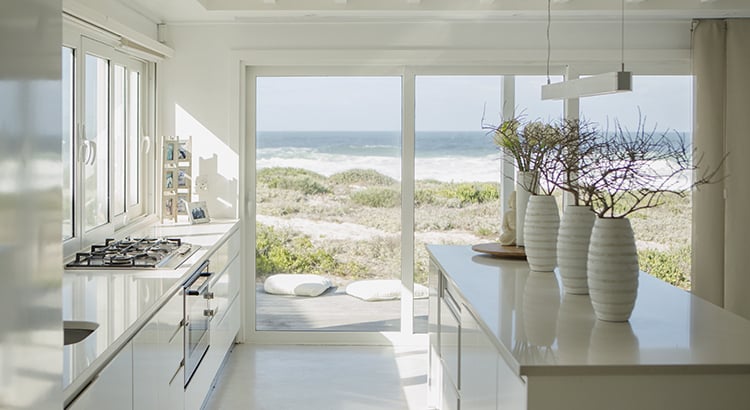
(504, 337)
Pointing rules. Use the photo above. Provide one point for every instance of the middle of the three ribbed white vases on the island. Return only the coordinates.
(573, 247)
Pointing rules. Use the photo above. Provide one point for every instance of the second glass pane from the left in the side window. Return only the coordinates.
(95, 144)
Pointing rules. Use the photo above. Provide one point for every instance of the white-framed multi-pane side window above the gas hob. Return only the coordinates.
(104, 172)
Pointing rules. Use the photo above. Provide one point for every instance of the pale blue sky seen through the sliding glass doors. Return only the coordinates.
(453, 103)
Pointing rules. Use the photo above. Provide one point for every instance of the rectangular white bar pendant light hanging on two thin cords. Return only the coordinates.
(607, 83)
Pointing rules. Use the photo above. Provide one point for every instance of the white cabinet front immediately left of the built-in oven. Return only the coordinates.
(158, 378)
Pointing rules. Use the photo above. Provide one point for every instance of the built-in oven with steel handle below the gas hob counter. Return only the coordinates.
(198, 314)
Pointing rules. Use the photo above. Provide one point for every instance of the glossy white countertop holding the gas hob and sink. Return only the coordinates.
(122, 301)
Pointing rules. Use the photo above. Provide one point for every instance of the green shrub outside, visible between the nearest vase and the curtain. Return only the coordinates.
(671, 266)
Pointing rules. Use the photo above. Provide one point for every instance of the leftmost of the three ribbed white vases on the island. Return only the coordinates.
(541, 225)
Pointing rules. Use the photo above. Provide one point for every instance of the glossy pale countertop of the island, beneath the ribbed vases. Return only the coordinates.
(539, 330)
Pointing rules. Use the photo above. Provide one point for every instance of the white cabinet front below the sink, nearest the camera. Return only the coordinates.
(112, 388)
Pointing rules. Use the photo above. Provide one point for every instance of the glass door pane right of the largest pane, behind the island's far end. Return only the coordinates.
(457, 167)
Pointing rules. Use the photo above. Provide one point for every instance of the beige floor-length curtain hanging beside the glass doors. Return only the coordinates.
(721, 211)
